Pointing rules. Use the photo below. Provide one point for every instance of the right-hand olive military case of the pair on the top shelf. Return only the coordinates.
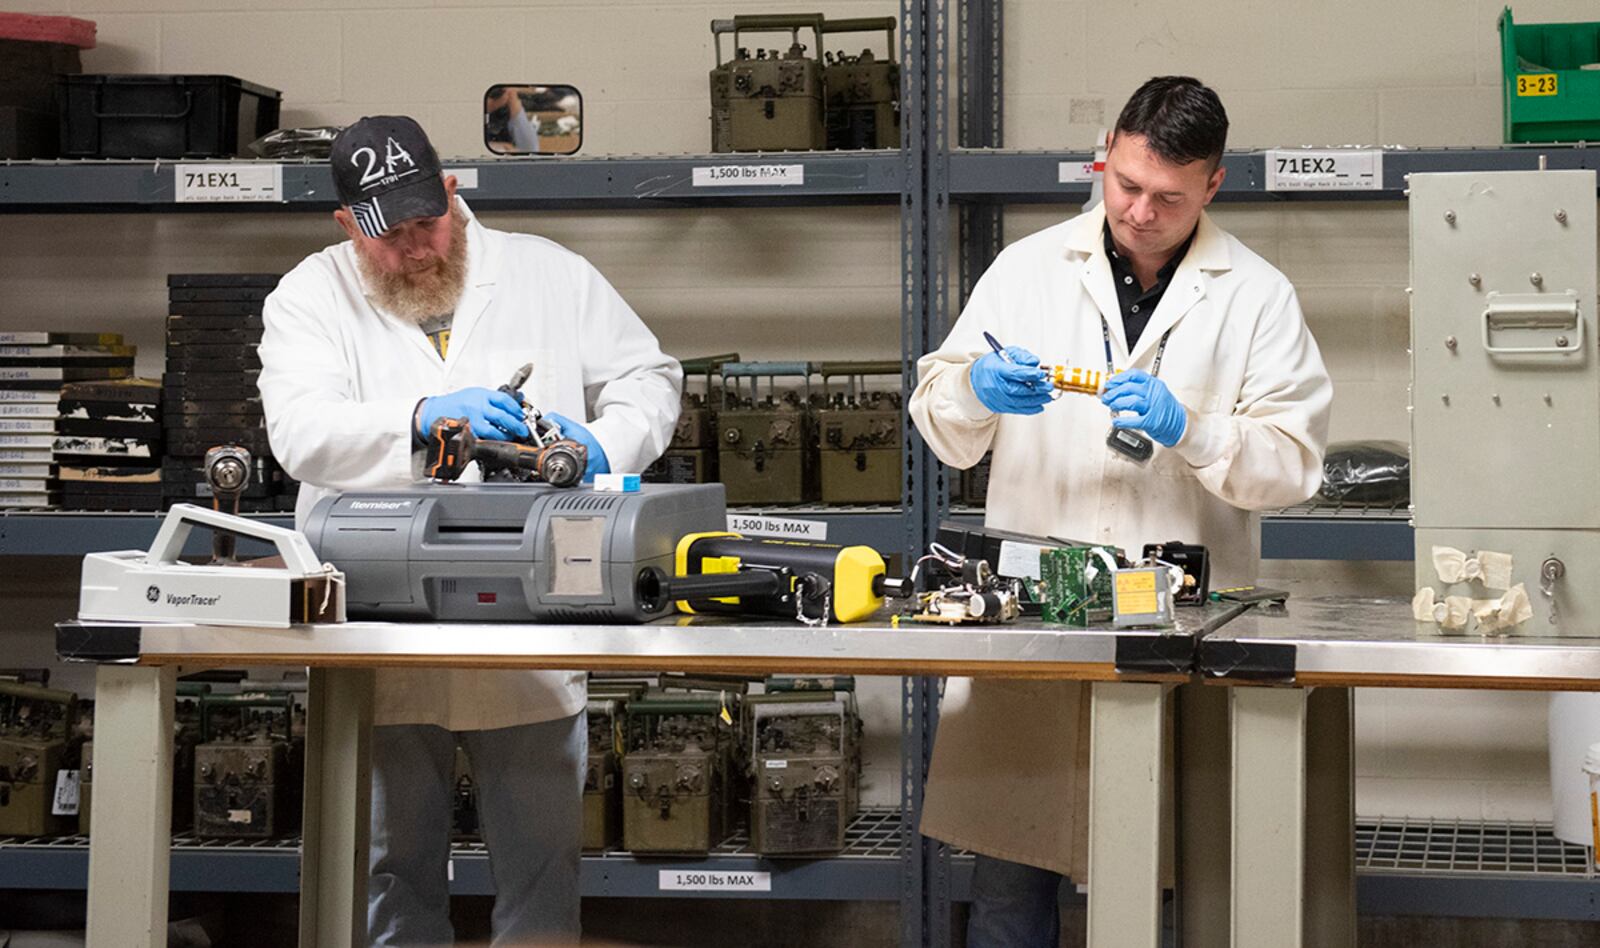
(862, 92)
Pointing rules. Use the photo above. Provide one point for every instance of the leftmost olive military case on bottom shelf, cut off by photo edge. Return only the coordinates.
(36, 734)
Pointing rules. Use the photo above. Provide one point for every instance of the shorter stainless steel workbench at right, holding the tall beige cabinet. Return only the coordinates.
(1292, 801)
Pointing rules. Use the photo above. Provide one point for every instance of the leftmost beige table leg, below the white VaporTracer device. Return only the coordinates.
(130, 850)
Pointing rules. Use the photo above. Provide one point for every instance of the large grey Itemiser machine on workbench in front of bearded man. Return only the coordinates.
(508, 552)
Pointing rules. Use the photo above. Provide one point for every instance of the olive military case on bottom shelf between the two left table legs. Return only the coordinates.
(249, 766)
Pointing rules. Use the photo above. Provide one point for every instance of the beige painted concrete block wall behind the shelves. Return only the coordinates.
(826, 283)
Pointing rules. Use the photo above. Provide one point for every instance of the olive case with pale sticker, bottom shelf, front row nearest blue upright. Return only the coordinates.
(806, 765)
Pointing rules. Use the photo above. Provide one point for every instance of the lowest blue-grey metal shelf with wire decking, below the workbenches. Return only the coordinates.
(1449, 869)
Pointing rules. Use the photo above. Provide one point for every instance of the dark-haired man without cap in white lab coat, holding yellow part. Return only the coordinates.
(1217, 369)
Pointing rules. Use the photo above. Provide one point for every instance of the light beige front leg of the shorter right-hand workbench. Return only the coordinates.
(1268, 816)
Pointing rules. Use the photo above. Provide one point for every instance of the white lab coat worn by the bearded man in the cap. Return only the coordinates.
(342, 380)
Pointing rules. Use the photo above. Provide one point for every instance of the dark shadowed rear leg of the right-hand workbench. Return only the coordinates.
(1330, 821)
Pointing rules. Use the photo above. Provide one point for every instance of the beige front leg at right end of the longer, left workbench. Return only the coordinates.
(1126, 816)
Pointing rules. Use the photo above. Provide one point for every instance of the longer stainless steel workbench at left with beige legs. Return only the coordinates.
(1134, 673)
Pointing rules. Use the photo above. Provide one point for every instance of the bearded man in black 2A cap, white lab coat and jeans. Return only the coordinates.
(417, 318)
